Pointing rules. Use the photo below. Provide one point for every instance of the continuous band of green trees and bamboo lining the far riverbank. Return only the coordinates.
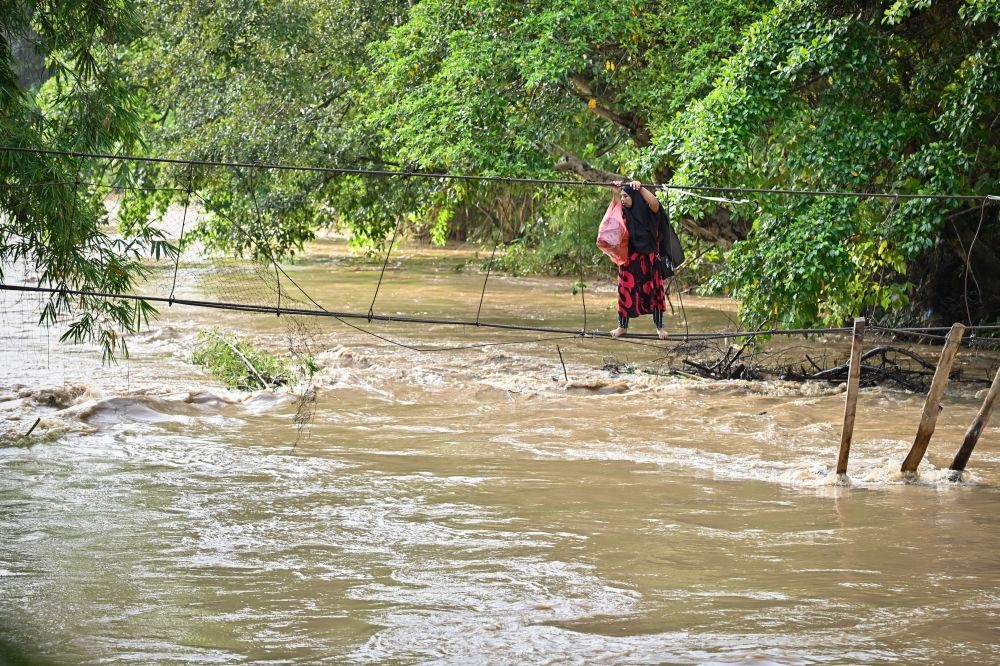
(897, 96)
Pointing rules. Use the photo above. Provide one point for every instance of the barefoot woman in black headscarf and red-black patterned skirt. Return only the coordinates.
(640, 285)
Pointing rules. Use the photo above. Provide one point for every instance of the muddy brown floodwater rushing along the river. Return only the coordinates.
(481, 503)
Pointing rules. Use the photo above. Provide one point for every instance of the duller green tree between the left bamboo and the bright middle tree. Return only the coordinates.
(264, 82)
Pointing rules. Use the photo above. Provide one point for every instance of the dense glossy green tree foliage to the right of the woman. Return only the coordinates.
(862, 97)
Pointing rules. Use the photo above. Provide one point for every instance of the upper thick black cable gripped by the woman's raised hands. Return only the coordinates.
(502, 179)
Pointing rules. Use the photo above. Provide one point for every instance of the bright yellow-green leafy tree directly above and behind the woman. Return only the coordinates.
(541, 89)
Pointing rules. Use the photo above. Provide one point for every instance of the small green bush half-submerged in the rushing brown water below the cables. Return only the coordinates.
(240, 365)
